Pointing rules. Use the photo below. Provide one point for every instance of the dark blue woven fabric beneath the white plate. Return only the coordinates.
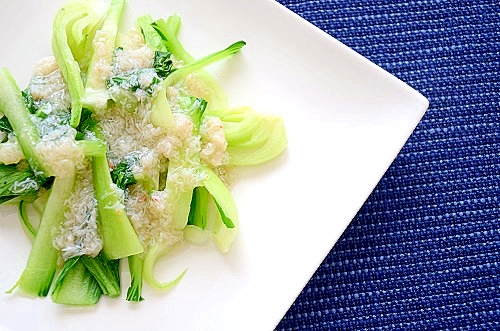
(424, 251)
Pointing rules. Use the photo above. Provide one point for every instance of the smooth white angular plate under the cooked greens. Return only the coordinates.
(346, 119)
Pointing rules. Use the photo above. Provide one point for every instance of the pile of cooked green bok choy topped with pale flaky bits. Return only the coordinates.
(124, 146)
